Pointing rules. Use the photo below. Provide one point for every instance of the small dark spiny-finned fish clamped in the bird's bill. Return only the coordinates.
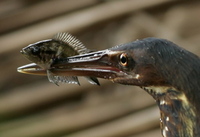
(62, 45)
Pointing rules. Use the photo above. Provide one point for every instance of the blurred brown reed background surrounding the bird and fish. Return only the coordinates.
(31, 106)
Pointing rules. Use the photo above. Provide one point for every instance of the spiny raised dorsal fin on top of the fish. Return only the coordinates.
(71, 41)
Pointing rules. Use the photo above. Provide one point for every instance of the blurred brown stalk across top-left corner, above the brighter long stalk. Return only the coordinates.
(40, 11)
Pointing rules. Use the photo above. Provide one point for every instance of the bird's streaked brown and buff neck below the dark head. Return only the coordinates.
(178, 115)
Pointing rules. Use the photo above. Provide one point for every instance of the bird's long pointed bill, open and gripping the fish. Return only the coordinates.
(101, 64)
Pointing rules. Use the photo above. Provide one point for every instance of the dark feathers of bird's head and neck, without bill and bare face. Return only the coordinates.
(162, 64)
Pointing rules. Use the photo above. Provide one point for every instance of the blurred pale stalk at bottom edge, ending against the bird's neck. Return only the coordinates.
(125, 126)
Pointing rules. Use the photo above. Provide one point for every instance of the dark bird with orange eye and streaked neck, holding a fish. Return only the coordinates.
(169, 73)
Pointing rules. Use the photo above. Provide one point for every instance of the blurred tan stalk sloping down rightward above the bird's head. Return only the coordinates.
(161, 30)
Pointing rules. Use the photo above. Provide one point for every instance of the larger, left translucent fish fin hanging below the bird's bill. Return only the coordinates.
(62, 79)
